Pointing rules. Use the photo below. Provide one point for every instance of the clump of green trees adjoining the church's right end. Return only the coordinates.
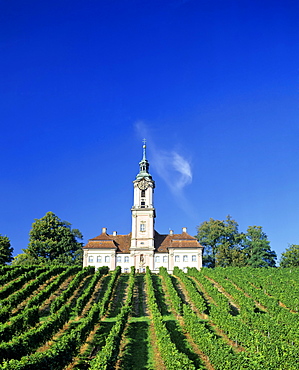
(226, 246)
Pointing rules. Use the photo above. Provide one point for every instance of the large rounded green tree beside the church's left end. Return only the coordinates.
(53, 240)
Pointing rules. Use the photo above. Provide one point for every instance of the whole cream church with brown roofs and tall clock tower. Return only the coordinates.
(143, 246)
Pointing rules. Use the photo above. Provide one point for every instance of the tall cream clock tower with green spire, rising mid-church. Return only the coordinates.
(143, 216)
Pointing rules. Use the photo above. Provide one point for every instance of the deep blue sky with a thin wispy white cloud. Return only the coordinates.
(212, 85)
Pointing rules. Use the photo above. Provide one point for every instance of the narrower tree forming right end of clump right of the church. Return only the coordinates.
(257, 248)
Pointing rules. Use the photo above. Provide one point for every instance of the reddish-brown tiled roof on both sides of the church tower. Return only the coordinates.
(122, 243)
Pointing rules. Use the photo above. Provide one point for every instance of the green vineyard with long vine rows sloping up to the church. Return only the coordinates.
(73, 318)
